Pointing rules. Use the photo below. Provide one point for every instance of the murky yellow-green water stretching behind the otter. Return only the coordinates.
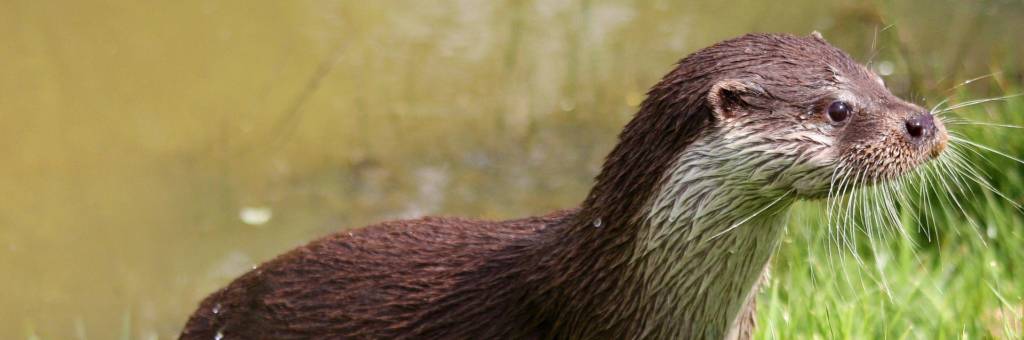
(153, 152)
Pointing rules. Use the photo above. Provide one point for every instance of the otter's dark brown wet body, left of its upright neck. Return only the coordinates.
(432, 278)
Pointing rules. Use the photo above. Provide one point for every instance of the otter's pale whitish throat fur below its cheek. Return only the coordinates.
(707, 239)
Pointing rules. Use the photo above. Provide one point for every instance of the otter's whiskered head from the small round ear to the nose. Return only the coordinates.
(814, 113)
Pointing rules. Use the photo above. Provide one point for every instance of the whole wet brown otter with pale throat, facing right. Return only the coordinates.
(671, 243)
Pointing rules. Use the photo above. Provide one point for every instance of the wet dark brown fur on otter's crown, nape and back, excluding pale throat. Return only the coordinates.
(549, 277)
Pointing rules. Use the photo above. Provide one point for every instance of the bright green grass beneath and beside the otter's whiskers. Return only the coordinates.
(951, 279)
